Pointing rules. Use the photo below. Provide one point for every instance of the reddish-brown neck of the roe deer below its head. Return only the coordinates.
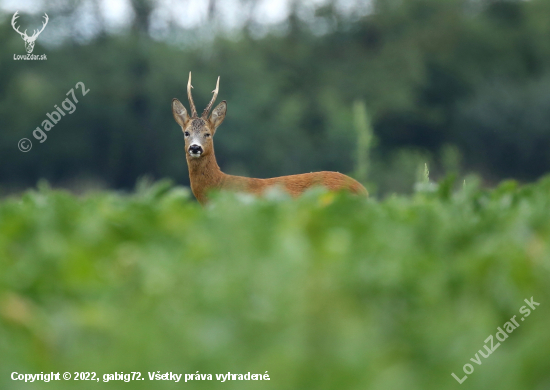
(204, 174)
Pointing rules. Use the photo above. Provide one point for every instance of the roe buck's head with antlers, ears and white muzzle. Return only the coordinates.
(198, 132)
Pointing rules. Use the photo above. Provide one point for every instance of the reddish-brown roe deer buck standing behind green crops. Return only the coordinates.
(205, 174)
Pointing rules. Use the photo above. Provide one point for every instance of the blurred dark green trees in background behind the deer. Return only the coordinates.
(468, 75)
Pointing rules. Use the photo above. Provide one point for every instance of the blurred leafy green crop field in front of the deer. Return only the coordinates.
(329, 291)
